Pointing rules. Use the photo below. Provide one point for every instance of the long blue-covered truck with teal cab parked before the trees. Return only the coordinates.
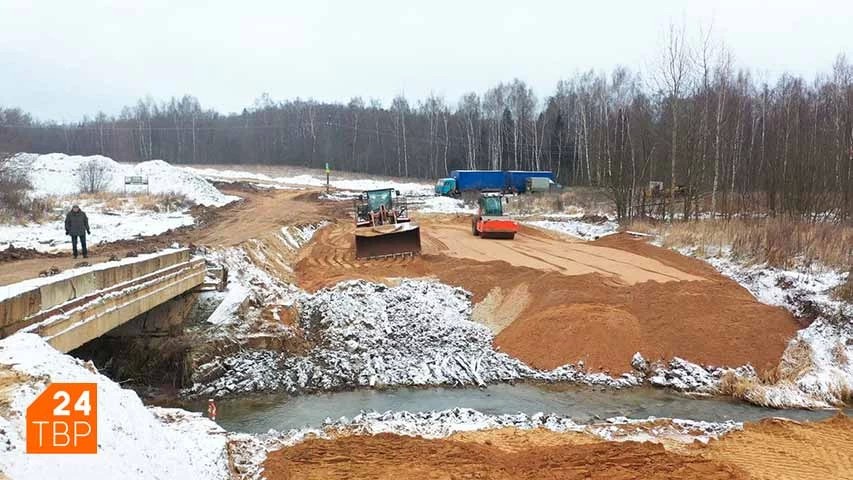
(508, 181)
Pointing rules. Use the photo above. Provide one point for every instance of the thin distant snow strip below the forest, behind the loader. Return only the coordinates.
(409, 189)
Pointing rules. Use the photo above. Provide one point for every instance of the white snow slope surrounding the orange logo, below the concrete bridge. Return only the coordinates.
(133, 441)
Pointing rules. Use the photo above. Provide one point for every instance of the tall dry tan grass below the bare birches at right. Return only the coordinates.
(778, 242)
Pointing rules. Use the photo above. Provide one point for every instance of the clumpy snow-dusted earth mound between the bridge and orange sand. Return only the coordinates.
(371, 335)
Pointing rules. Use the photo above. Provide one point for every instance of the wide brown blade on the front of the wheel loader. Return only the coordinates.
(388, 240)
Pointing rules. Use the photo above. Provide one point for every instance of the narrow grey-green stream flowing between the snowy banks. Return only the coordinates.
(260, 413)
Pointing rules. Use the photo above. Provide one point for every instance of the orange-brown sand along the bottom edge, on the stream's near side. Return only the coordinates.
(770, 449)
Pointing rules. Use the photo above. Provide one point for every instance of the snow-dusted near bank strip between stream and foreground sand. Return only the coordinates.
(250, 450)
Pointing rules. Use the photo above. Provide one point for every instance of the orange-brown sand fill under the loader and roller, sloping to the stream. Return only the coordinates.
(552, 300)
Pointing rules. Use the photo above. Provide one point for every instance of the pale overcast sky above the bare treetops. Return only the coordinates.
(62, 59)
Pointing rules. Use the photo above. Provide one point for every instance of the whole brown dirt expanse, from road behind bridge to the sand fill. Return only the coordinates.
(550, 299)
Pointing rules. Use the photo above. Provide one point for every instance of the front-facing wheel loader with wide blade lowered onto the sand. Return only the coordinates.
(383, 227)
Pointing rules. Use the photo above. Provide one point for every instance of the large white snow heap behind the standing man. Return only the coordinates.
(55, 174)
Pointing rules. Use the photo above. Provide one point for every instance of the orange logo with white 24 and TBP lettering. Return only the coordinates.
(64, 419)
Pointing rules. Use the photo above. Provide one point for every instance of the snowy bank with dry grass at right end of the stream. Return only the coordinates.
(816, 369)
